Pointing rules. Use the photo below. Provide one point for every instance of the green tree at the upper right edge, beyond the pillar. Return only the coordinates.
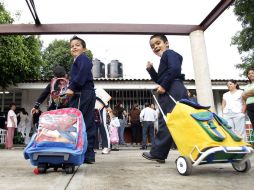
(244, 9)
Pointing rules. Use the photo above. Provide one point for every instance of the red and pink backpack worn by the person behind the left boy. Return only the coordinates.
(58, 88)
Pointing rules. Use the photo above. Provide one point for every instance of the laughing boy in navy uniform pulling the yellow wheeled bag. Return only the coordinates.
(170, 81)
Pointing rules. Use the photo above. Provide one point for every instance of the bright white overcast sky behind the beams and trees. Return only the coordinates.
(133, 51)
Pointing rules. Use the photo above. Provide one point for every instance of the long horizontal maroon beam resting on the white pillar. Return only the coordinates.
(96, 28)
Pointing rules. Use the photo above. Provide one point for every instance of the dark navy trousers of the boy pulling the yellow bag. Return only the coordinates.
(163, 140)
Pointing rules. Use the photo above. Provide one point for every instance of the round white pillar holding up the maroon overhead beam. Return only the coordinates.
(201, 69)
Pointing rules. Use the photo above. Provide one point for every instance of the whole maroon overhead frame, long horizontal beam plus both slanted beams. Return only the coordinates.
(102, 28)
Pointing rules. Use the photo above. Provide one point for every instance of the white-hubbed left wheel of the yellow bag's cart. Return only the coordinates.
(184, 165)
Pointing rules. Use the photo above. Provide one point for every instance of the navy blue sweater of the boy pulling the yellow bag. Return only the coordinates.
(169, 69)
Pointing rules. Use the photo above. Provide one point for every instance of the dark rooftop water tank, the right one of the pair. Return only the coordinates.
(115, 69)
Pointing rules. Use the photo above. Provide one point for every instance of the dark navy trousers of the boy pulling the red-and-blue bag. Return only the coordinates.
(86, 106)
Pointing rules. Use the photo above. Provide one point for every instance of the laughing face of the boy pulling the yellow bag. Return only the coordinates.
(158, 46)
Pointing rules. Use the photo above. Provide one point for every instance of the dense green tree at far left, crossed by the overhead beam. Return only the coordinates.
(20, 57)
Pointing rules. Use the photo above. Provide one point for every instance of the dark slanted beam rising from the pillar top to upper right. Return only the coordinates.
(215, 13)
